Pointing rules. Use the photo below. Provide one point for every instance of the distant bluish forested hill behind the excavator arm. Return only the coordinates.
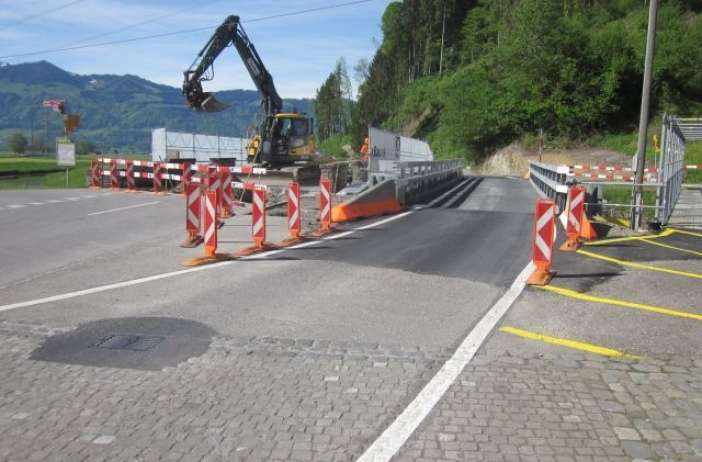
(118, 112)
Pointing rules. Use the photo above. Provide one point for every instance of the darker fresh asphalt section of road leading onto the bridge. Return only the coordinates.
(479, 246)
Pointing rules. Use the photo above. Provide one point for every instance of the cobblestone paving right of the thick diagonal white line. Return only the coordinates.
(566, 407)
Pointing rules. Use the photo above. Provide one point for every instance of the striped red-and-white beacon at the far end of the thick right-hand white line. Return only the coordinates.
(543, 238)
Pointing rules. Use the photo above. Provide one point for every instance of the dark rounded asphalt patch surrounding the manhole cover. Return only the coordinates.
(137, 343)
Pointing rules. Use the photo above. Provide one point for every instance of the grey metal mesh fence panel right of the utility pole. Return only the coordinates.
(674, 134)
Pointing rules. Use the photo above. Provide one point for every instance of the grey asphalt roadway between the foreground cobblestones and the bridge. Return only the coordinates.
(422, 280)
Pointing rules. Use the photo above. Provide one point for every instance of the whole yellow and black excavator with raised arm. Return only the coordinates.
(281, 139)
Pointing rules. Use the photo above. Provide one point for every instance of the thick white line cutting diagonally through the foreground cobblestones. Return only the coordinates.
(395, 436)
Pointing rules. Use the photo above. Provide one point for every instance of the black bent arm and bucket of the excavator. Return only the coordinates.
(230, 32)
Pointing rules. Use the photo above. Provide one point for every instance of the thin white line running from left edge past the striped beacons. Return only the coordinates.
(156, 277)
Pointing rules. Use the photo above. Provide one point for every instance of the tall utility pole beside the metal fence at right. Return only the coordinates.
(637, 210)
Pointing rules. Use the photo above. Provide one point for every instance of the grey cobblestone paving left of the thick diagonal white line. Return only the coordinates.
(245, 399)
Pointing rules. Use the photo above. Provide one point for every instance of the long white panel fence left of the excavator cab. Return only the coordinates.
(167, 145)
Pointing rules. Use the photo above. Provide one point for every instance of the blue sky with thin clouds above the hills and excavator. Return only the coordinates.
(299, 51)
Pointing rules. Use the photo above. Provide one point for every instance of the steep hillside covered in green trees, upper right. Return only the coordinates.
(473, 75)
